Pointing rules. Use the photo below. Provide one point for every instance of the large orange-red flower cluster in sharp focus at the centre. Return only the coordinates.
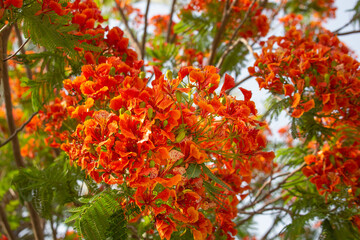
(169, 143)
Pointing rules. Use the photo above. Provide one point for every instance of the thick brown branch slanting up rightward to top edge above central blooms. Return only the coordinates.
(221, 30)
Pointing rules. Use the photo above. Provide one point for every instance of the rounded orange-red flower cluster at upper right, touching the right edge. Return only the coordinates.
(311, 67)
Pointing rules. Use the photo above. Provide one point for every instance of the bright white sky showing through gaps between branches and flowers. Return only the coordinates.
(259, 97)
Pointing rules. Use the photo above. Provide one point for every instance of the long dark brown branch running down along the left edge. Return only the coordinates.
(4, 75)
